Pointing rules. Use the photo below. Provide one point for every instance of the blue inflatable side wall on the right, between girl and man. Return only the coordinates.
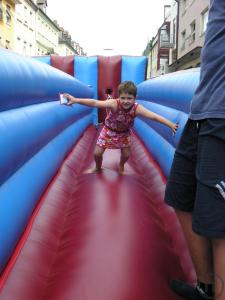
(169, 96)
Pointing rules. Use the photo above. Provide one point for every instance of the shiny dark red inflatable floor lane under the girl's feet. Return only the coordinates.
(101, 236)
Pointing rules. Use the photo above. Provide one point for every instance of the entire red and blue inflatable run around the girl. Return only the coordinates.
(69, 235)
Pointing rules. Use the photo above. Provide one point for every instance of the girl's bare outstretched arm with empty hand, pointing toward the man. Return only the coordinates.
(143, 112)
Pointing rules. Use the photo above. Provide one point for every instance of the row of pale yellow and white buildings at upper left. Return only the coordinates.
(26, 29)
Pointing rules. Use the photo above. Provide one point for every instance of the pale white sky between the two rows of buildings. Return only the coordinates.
(124, 26)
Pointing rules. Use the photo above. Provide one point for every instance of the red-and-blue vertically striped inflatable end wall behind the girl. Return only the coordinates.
(101, 72)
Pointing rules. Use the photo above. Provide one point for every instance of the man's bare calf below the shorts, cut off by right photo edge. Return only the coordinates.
(219, 268)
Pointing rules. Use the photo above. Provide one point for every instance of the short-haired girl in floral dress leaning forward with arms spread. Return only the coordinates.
(116, 133)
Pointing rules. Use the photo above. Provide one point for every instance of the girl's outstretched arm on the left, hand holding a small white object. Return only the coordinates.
(111, 103)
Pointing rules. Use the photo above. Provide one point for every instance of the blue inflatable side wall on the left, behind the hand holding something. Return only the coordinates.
(36, 133)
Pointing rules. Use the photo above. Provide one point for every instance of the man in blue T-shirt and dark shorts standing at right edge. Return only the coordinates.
(196, 186)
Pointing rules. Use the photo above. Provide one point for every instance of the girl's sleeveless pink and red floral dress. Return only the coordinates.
(116, 133)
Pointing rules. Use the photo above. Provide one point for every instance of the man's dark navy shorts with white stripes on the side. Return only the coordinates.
(197, 179)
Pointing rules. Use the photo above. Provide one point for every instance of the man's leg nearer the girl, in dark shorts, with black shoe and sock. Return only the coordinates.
(181, 194)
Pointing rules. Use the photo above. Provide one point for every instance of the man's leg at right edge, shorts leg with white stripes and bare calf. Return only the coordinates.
(209, 210)
